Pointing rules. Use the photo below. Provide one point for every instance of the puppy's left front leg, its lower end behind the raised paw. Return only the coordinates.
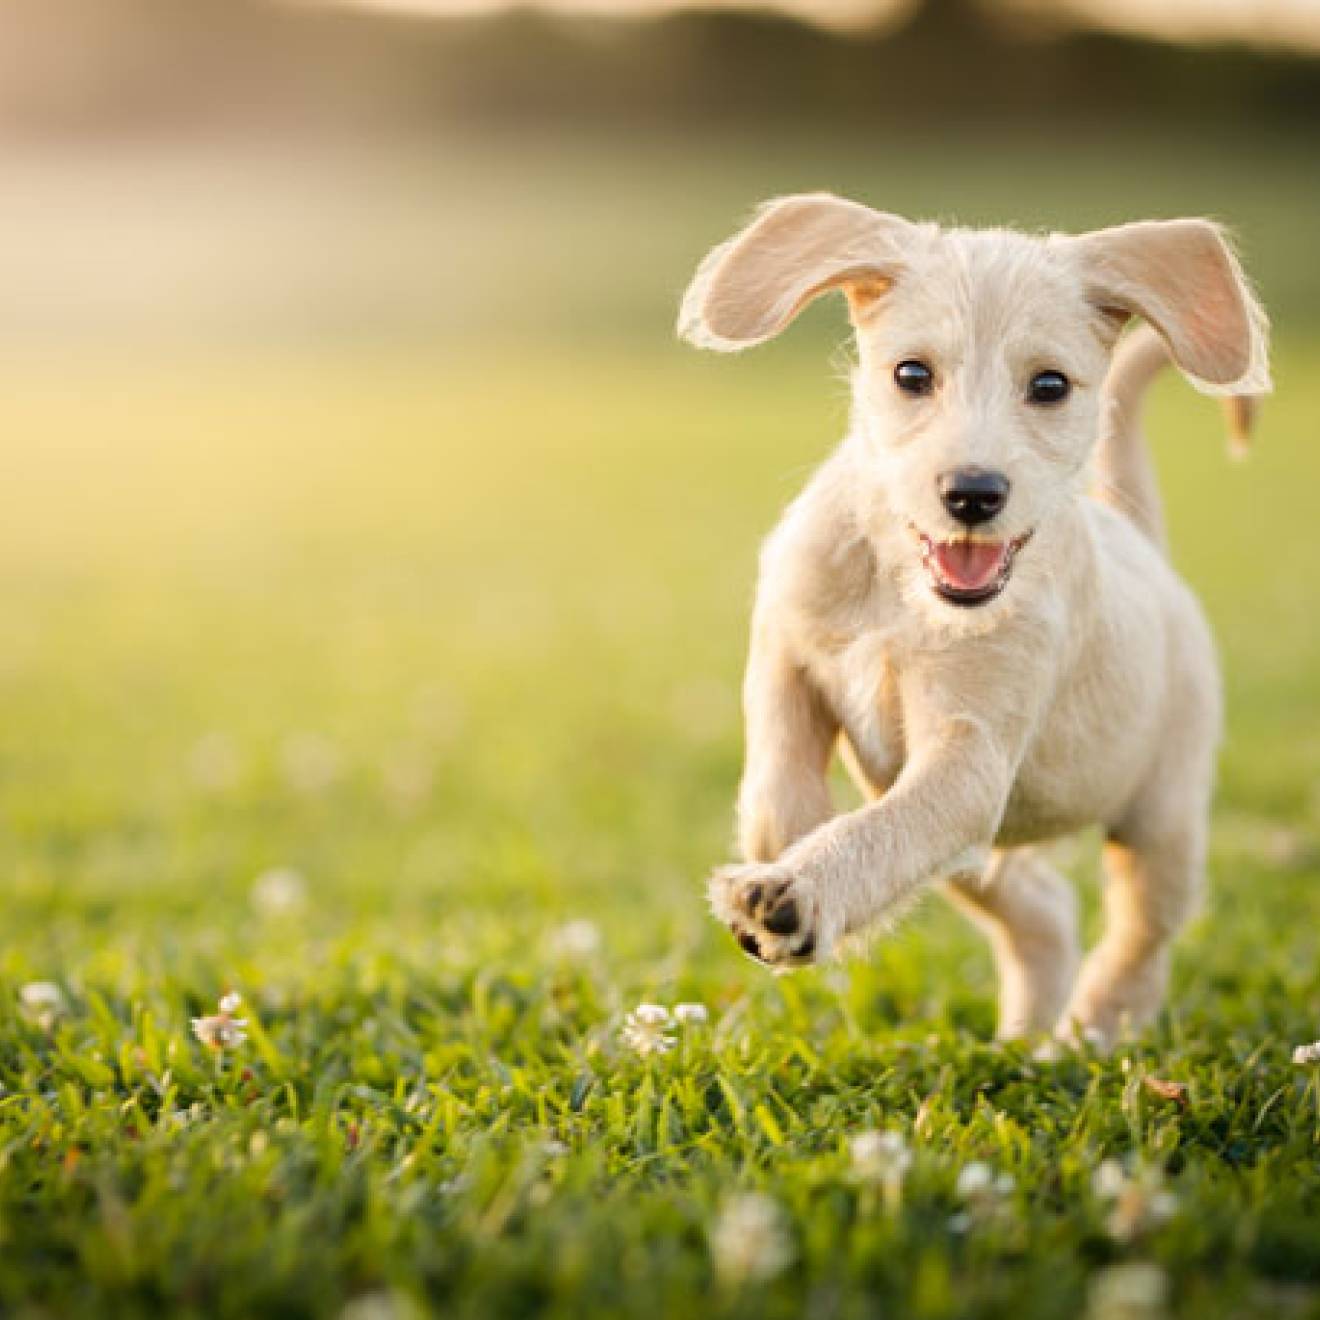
(791, 735)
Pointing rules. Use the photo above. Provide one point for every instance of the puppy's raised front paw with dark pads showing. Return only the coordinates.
(773, 914)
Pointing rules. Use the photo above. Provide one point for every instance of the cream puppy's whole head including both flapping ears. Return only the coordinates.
(981, 358)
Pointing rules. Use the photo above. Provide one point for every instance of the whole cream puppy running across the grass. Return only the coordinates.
(972, 597)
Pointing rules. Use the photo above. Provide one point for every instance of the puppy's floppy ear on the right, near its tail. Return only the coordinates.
(1183, 278)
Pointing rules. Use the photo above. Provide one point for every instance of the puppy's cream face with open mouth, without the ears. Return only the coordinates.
(977, 403)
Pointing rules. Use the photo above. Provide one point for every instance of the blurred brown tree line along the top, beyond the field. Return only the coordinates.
(113, 67)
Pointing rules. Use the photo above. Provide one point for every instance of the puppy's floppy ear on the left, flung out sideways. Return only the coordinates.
(799, 247)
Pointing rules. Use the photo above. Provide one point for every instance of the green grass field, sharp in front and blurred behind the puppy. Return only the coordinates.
(452, 626)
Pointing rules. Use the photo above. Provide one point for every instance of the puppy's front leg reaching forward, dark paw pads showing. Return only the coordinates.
(863, 868)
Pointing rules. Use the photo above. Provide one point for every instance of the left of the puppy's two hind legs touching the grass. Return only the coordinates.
(1029, 913)
